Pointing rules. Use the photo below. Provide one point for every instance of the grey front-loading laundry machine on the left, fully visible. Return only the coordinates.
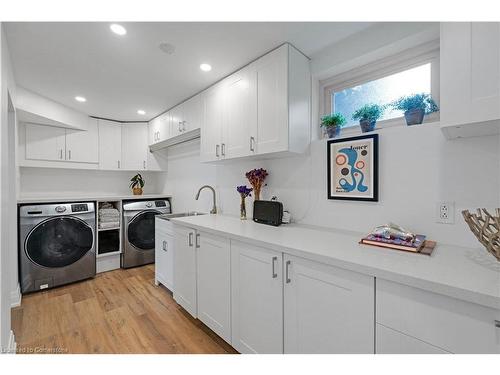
(56, 244)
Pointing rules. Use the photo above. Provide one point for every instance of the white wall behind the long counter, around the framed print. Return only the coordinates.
(418, 167)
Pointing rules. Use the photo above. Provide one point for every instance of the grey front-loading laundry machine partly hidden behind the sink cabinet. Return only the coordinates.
(139, 231)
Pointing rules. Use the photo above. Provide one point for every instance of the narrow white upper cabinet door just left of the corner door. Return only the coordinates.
(110, 145)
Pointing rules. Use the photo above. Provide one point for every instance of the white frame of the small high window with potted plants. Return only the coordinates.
(428, 53)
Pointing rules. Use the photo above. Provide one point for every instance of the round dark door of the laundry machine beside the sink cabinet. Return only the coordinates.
(141, 230)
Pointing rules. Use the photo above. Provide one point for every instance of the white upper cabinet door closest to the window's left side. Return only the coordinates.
(272, 101)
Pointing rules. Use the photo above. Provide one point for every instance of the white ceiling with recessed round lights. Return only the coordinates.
(119, 75)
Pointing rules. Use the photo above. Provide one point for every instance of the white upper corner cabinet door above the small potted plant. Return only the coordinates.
(134, 146)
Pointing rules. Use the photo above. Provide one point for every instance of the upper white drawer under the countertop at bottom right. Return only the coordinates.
(448, 323)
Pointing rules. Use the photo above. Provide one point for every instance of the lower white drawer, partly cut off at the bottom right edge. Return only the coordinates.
(390, 341)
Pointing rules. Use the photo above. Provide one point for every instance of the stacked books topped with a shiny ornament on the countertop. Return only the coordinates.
(393, 236)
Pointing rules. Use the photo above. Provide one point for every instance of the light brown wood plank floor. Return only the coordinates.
(121, 311)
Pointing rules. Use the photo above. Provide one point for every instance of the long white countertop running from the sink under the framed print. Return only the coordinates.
(465, 273)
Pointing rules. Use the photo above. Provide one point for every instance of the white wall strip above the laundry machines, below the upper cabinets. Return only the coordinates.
(57, 182)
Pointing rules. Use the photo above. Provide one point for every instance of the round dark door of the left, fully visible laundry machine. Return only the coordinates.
(59, 241)
